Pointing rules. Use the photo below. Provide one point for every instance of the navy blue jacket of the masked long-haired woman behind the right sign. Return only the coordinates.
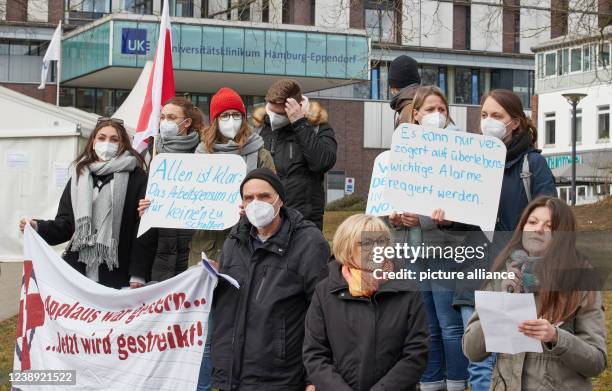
(512, 203)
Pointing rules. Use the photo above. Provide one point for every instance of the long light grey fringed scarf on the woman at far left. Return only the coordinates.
(97, 222)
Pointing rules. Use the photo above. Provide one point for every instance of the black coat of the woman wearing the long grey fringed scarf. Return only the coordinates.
(135, 257)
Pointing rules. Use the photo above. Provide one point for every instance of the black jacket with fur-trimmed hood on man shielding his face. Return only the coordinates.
(303, 152)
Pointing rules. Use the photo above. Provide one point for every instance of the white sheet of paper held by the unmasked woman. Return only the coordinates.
(500, 314)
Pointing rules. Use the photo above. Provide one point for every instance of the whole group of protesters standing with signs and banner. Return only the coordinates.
(307, 317)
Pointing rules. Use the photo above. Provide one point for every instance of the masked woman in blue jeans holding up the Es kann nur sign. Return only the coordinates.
(447, 366)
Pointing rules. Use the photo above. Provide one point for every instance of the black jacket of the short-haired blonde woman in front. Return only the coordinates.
(361, 343)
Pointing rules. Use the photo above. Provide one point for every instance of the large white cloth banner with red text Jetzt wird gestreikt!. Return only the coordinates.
(151, 338)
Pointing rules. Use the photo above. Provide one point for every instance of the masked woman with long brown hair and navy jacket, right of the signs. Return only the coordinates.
(526, 176)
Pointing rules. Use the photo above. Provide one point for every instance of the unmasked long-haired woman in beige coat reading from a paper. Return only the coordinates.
(571, 326)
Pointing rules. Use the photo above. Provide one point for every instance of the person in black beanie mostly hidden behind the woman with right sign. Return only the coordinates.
(404, 80)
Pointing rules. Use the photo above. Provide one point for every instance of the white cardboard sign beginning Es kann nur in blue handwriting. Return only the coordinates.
(458, 172)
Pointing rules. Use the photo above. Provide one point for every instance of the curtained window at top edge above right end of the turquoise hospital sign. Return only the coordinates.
(381, 20)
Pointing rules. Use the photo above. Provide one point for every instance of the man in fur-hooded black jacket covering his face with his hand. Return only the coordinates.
(303, 144)
